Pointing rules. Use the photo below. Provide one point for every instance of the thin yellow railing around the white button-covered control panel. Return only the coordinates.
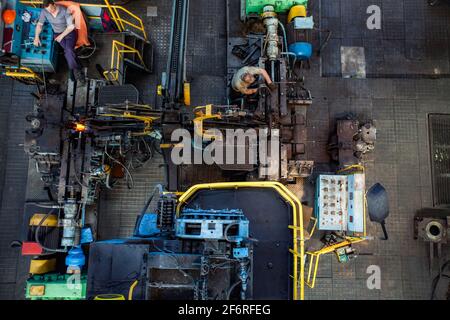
(314, 256)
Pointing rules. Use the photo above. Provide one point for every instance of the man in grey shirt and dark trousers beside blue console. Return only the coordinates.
(65, 34)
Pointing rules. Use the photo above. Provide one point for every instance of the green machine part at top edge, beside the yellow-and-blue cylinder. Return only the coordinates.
(252, 8)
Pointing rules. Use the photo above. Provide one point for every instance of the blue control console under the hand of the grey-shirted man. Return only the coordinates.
(37, 58)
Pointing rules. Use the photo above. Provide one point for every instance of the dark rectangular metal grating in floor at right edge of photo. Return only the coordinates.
(439, 126)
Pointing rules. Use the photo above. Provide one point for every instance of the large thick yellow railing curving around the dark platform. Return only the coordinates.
(298, 241)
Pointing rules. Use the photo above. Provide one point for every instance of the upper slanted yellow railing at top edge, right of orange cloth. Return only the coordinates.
(122, 17)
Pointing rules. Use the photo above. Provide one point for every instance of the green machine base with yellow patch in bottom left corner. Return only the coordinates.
(56, 287)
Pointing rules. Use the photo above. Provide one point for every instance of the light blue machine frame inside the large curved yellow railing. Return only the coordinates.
(230, 225)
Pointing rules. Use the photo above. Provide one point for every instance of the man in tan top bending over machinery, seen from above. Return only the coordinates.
(246, 76)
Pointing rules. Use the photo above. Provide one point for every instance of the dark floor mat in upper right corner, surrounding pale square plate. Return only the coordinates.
(412, 41)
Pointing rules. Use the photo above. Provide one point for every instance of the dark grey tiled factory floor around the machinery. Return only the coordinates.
(407, 68)
